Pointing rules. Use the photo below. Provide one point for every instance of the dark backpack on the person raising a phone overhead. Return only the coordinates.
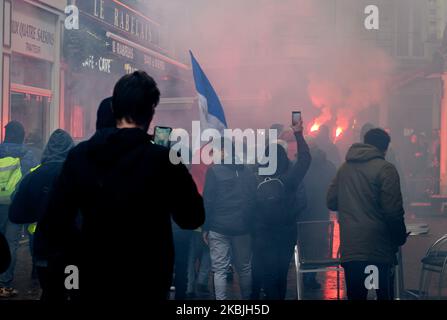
(271, 201)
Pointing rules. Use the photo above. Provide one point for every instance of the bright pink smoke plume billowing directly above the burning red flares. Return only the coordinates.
(349, 80)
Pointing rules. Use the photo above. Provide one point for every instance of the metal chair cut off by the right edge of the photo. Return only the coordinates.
(435, 261)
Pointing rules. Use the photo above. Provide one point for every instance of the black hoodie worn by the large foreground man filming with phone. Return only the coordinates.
(123, 185)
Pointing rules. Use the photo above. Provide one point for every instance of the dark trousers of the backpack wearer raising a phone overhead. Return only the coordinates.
(272, 253)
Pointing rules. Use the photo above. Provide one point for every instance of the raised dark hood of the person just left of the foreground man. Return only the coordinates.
(58, 146)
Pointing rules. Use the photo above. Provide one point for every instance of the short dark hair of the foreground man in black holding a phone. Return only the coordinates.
(135, 97)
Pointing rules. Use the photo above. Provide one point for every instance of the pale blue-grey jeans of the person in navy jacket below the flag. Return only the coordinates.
(223, 250)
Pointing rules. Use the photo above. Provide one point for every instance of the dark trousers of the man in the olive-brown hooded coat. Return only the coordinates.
(355, 277)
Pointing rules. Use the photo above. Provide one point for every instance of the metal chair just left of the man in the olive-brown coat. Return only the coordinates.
(313, 252)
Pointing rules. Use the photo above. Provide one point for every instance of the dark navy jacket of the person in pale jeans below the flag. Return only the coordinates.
(229, 197)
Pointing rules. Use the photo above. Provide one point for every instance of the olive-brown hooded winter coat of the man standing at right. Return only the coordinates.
(366, 193)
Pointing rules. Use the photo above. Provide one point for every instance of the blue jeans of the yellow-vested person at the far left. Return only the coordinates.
(12, 234)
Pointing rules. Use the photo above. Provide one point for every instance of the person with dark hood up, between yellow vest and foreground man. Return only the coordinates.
(30, 200)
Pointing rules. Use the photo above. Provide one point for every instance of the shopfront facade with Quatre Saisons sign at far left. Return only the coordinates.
(30, 69)
